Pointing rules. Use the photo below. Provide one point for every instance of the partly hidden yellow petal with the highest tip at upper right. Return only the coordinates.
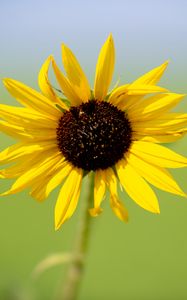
(153, 76)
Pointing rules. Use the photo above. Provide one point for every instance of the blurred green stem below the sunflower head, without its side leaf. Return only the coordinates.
(76, 267)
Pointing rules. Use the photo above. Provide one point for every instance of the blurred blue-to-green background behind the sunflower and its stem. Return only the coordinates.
(146, 259)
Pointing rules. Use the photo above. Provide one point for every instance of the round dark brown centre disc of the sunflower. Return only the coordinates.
(94, 135)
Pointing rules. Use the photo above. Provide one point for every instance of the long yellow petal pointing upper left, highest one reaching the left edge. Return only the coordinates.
(31, 98)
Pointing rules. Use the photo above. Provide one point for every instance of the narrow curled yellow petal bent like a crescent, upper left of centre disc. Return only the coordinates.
(45, 85)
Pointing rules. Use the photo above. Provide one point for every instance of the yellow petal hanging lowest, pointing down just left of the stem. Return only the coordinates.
(68, 197)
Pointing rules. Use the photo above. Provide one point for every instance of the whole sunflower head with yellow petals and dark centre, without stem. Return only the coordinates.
(115, 135)
